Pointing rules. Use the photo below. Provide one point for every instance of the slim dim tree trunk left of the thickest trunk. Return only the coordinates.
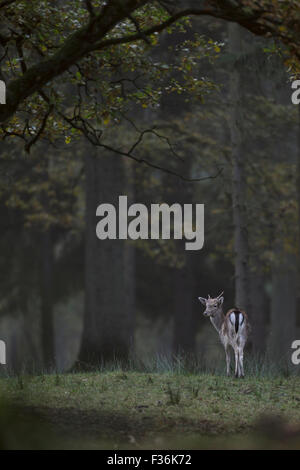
(46, 286)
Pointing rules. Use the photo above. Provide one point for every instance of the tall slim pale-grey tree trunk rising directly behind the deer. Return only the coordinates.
(238, 176)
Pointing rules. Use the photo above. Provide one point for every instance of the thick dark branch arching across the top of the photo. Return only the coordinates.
(91, 37)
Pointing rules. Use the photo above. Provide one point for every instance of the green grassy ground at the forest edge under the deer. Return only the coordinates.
(149, 410)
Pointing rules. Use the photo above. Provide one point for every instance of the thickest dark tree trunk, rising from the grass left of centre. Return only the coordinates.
(109, 270)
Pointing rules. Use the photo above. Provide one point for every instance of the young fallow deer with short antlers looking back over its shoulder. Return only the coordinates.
(233, 329)
